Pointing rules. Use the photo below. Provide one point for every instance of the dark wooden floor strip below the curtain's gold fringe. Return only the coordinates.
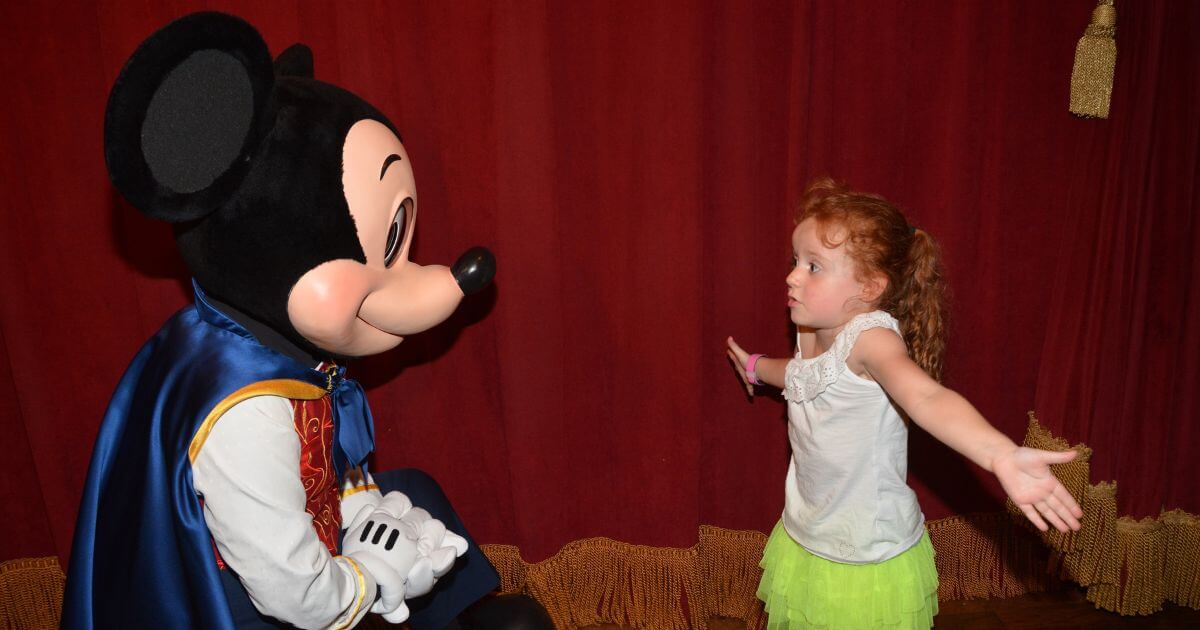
(1064, 609)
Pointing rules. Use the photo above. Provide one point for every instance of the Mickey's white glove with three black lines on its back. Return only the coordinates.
(405, 549)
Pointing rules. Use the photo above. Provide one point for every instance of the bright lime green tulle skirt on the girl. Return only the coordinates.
(803, 591)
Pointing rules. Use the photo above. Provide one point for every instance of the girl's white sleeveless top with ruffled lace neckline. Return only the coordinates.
(847, 499)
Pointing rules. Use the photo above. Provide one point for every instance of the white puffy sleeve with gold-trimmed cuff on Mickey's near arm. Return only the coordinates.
(249, 476)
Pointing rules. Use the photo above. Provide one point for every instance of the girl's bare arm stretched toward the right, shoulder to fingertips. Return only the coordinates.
(1024, 473)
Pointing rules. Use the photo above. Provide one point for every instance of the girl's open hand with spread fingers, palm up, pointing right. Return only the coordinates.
(1027, 478)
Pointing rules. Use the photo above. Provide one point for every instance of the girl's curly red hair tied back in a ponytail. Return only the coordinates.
(883, 244)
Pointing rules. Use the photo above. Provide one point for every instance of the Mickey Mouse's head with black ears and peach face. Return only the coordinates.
(292, 200)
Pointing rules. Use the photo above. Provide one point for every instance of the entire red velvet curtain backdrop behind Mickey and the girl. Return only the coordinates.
(635, 169)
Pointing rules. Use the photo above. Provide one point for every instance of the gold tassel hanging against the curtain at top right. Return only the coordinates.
(1091, 80)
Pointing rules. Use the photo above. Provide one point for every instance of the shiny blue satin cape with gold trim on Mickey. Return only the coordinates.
(142, 555)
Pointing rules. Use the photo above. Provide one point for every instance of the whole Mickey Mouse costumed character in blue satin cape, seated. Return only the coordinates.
(235, 452)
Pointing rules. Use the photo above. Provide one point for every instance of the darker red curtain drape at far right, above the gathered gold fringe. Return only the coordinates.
(1120, 367)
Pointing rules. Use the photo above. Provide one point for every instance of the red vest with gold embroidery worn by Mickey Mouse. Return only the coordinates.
(315, 428)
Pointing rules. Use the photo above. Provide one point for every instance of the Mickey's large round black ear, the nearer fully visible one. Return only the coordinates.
(187, 113)
